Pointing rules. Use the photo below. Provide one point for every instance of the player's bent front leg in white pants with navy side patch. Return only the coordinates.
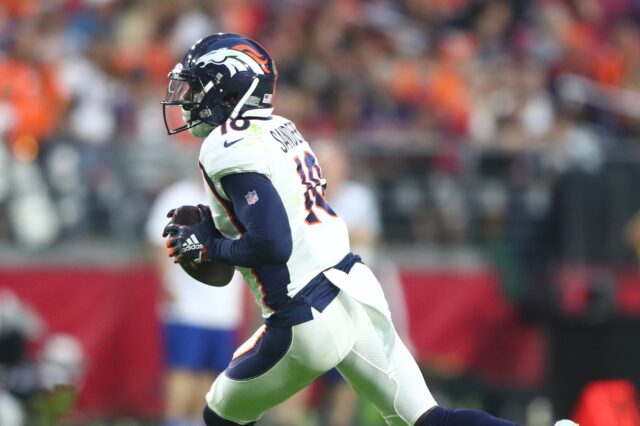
(275, 364)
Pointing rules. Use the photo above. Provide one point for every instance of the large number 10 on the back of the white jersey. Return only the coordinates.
(311, 177)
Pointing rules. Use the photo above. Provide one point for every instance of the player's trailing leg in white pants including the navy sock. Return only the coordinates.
(381, 369)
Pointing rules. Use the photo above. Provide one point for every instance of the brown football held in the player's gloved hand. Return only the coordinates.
(215, 272)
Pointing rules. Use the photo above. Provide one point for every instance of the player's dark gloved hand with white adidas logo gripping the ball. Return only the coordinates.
(190, 243)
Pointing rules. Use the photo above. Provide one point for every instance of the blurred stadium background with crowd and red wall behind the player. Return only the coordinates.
(500, 139)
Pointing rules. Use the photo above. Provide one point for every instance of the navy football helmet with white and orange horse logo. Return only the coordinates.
(221, 77)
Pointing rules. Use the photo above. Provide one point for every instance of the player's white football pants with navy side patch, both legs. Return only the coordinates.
(354, 333)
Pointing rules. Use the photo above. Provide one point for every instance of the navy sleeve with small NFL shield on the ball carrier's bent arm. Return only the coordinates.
(267, 236)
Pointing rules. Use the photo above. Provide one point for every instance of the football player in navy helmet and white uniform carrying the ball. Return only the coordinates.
(268, 217)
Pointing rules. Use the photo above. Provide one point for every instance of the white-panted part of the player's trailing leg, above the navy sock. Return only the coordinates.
(378, 366)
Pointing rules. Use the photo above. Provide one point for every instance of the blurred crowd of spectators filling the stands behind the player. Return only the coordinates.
(85, 147)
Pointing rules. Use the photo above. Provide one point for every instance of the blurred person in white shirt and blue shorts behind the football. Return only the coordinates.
(200, 323)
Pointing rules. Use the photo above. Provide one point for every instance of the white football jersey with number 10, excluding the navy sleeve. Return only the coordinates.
(273, 147)
